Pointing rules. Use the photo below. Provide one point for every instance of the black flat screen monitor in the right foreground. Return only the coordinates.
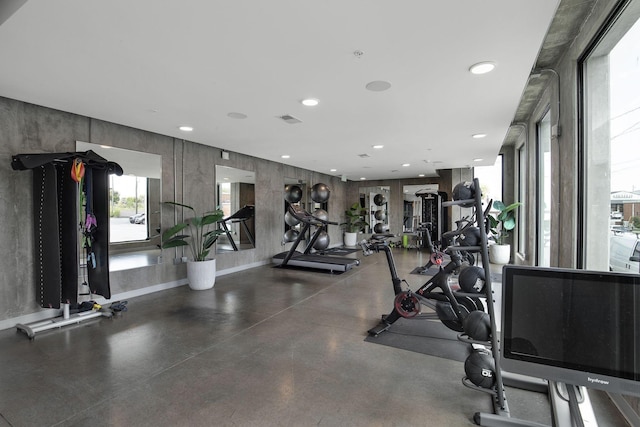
(572, 326)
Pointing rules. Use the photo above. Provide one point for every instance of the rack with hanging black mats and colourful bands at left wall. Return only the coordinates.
(71, 217)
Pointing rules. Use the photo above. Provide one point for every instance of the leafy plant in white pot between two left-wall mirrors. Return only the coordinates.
(201, 233)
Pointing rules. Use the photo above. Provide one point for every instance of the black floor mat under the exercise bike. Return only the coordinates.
(424, 336)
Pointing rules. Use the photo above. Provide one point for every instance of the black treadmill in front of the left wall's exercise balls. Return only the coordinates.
(306, 259)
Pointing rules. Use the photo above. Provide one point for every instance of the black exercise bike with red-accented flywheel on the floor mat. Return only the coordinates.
(451, 307)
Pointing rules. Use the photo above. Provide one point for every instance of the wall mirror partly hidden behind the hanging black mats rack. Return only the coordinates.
(134, 206)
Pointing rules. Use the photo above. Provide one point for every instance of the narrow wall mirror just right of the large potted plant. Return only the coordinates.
(236, 198)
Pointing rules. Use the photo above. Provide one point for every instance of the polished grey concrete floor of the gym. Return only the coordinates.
(264, 347)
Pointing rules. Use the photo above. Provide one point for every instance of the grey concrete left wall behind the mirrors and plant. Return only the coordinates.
(188, 176)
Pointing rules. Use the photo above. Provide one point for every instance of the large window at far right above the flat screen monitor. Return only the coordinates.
(610, 157)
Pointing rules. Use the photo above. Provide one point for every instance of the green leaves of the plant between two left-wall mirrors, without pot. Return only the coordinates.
(202, 229)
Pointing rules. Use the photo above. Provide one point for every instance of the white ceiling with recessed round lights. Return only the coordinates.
(156, 65)
